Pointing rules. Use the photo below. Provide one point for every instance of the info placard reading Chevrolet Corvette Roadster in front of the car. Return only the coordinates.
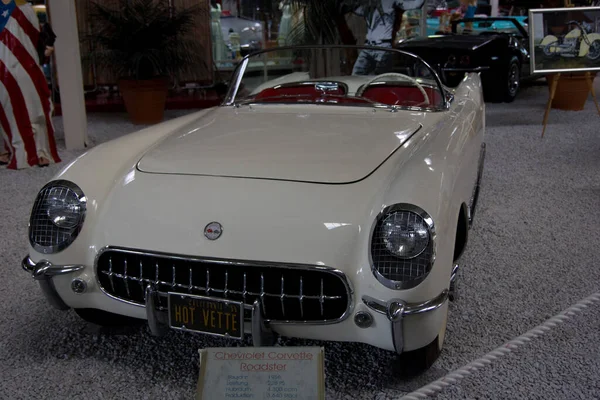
(294, 373)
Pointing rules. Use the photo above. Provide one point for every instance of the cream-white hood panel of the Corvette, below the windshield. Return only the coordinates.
(319, 143)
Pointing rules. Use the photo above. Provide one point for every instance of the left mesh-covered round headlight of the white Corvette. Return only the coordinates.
(57, 216)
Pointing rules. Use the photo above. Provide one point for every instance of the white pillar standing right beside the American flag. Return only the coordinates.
(68, 66)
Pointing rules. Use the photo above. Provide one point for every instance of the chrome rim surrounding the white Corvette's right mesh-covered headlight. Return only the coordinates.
(401, 285)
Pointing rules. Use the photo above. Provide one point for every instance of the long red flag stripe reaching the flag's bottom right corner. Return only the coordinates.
(39, 82)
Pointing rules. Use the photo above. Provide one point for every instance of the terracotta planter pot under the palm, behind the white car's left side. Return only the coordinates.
(144, 99)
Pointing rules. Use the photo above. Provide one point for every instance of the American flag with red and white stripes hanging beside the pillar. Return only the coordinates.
(26, 105)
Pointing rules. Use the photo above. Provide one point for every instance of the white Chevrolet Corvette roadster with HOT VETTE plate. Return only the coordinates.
(328, 198)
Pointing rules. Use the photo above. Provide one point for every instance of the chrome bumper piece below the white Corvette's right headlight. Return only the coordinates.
(396, 310)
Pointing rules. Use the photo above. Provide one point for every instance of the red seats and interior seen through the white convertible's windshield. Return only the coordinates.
(386, 94)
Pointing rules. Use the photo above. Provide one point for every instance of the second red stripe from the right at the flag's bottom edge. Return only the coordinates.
(20, 112)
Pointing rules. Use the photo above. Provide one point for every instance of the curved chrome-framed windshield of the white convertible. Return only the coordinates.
(337, 75)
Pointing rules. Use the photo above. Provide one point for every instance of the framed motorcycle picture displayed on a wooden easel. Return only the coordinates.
(564, 39)
